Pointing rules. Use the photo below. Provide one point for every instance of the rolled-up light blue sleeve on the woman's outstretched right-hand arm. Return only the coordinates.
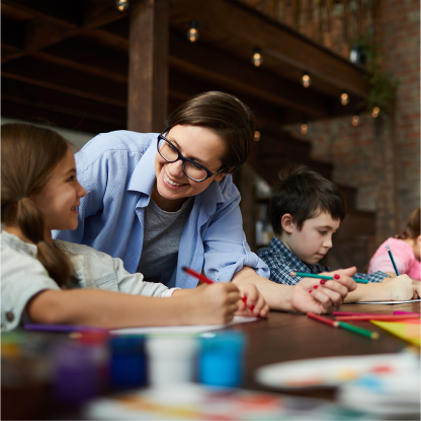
(226, 250)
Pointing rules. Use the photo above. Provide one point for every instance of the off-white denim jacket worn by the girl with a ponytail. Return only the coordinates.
(22, 276)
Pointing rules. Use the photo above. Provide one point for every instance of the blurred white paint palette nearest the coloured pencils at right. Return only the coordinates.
(331, 371)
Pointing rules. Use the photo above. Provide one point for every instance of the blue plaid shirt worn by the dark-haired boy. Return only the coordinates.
(282, 262)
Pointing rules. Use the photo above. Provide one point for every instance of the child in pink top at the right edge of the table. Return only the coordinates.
(406, 250)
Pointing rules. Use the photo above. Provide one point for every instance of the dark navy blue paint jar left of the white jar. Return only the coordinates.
(128, 362)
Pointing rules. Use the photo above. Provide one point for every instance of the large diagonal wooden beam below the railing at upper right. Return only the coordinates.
(250, 28)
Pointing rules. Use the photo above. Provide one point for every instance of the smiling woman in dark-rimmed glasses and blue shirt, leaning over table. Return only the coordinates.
(164, 201)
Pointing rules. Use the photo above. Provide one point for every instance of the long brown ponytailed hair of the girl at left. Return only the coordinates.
(28, 156)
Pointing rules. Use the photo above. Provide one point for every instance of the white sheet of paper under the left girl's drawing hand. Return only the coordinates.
(181, 329)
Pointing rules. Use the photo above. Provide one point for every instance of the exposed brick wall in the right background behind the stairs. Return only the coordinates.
(353, 150)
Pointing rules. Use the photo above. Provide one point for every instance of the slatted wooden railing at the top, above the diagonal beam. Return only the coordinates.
(336, 24)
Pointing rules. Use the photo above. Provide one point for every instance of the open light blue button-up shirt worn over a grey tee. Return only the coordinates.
(118, 172)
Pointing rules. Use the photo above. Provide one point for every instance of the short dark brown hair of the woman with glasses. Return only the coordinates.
(226, 116)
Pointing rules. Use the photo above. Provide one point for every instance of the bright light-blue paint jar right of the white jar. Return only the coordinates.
(221, 359)
